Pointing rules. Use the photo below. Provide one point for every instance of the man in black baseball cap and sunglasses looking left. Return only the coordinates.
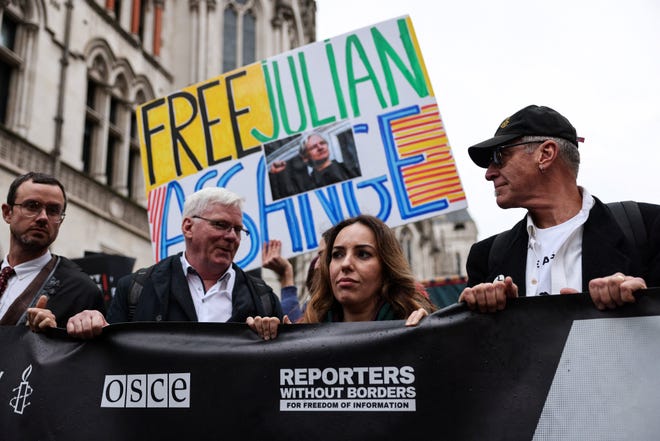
(569, 241)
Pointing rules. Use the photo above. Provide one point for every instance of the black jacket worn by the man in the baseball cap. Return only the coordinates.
(604, 251)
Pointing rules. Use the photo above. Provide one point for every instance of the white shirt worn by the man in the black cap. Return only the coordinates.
(554, 255)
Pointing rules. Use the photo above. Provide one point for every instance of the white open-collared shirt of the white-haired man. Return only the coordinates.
(214, 305)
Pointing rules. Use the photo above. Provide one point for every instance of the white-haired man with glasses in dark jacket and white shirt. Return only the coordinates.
(201, 284)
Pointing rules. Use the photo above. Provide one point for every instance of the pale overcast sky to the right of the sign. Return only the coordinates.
(597, 62)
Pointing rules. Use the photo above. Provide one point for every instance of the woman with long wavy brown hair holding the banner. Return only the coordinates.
(363, 276)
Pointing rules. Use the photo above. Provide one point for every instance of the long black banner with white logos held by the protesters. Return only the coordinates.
(546, 368)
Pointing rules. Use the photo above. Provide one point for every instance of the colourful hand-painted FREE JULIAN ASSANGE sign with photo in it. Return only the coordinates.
(309, 137)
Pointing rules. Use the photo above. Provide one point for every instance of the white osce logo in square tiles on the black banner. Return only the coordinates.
(146, 390)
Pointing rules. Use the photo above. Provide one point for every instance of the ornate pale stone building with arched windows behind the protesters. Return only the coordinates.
(73, 71)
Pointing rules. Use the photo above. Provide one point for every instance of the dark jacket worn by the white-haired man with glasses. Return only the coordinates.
(165, 296)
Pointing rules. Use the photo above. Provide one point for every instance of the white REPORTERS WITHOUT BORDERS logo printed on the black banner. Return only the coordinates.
(375, 388)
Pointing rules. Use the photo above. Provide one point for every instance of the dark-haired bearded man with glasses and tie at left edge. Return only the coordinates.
(31, 275)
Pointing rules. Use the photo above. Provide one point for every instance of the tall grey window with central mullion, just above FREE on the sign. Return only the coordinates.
(239, 35)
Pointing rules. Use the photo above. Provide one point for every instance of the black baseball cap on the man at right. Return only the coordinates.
(530, 121)
